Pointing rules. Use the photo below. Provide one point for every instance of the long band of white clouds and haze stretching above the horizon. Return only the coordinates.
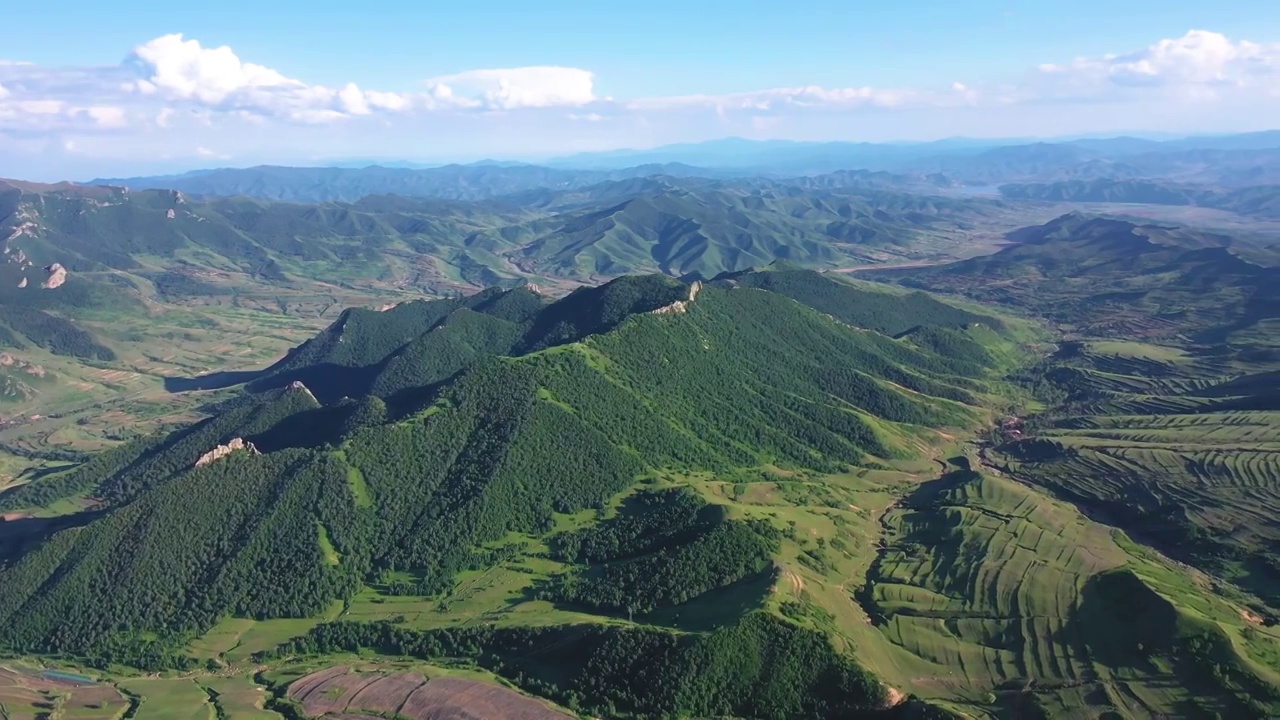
(173, 99)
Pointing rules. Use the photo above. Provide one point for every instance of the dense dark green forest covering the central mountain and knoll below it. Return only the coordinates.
(739, 380)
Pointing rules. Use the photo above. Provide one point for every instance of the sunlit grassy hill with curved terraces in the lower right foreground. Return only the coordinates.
(981, 595)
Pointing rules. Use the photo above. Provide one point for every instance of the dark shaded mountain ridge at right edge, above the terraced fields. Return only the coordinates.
(1094, 275)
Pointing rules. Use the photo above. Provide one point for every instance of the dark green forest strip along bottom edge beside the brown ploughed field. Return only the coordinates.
(762, 667)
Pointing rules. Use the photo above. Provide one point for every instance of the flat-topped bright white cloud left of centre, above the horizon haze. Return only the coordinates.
(543, 86)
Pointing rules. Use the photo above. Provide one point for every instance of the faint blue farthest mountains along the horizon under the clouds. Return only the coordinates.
(936, 167)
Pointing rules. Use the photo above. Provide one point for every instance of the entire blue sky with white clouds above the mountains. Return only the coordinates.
(92, 89)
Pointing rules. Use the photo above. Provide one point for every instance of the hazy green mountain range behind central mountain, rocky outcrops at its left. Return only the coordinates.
(117, 247)
